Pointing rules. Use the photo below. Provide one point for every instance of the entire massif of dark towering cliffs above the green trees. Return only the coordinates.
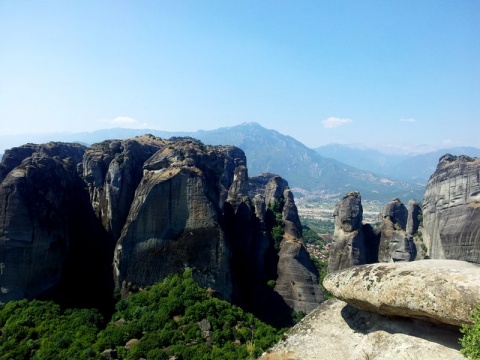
(151, 207)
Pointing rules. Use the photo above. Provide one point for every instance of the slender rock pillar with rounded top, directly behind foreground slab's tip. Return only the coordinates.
(349, 247)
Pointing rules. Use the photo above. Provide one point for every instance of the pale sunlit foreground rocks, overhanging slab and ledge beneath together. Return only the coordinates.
(385, 311)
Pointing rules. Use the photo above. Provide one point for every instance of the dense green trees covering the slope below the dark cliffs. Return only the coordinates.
(173, 318)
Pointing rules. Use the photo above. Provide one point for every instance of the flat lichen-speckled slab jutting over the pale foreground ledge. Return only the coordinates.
(442, 291)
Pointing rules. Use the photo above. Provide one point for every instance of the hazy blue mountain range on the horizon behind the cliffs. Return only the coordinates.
(327, 172)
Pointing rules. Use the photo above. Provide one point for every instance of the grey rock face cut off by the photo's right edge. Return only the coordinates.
(451, 210)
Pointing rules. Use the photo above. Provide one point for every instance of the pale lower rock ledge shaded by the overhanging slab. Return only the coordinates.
(336, 330)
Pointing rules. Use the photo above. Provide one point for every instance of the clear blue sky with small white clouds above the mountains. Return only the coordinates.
(321, 71)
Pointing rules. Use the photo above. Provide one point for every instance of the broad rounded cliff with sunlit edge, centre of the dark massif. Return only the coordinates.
(175, 220)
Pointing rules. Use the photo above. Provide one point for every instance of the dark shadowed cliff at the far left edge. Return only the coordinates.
(43, 219)
